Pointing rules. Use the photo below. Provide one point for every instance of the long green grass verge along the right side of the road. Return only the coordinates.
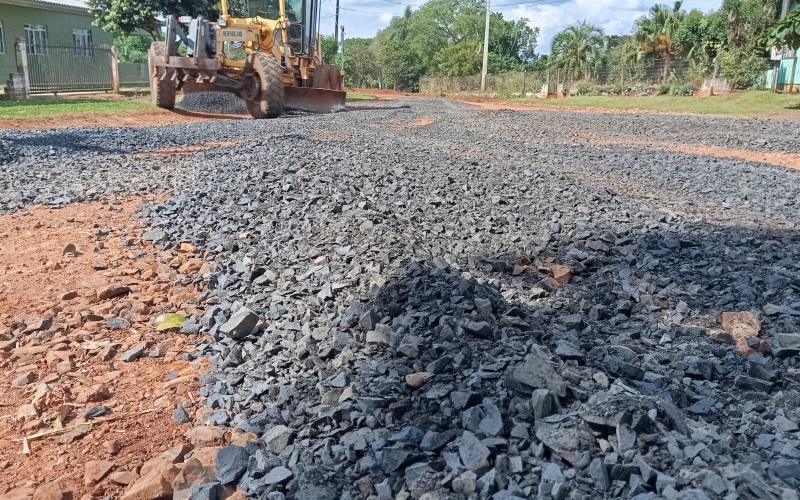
(736, 103)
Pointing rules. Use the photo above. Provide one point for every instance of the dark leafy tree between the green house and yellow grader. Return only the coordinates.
(127, 16)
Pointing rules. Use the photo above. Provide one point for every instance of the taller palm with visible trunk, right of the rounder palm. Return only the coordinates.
(655, 32)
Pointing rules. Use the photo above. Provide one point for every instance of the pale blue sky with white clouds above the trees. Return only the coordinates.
(362, 18)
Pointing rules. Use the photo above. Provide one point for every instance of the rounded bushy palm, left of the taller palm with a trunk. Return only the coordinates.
(578, 49)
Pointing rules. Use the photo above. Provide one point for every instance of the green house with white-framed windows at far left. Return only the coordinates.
(41, 22)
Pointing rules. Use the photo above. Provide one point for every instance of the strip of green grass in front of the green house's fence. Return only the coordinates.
(38, 107)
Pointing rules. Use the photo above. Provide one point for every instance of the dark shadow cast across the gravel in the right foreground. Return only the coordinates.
(648, 293)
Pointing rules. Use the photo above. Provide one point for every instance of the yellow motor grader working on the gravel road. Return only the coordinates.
(272, 59)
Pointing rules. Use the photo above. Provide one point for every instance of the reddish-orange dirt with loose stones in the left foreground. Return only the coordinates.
(64, 362)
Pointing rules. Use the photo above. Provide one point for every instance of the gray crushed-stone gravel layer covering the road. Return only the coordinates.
(411, 236)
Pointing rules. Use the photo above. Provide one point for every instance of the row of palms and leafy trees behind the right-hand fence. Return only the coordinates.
(727, 42)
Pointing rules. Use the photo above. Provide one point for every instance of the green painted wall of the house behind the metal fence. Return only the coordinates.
(59, 20)
